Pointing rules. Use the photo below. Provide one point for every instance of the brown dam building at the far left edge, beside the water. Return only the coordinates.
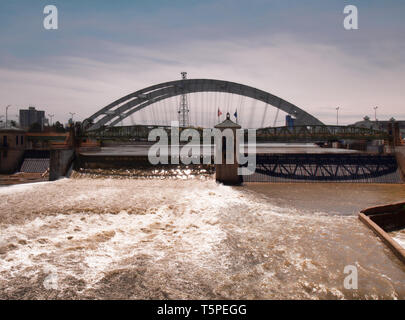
(12, 147)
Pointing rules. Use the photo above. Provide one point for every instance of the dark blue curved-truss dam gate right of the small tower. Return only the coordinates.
(325, 167)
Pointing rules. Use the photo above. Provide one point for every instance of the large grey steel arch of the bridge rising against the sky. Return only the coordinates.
(122, 108)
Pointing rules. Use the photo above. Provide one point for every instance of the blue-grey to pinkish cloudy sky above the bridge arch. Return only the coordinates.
(295, 49)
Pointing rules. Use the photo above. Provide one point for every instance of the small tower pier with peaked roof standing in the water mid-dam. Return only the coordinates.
(227, 173)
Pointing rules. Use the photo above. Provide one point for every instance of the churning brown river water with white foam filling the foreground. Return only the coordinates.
(145, 239)
